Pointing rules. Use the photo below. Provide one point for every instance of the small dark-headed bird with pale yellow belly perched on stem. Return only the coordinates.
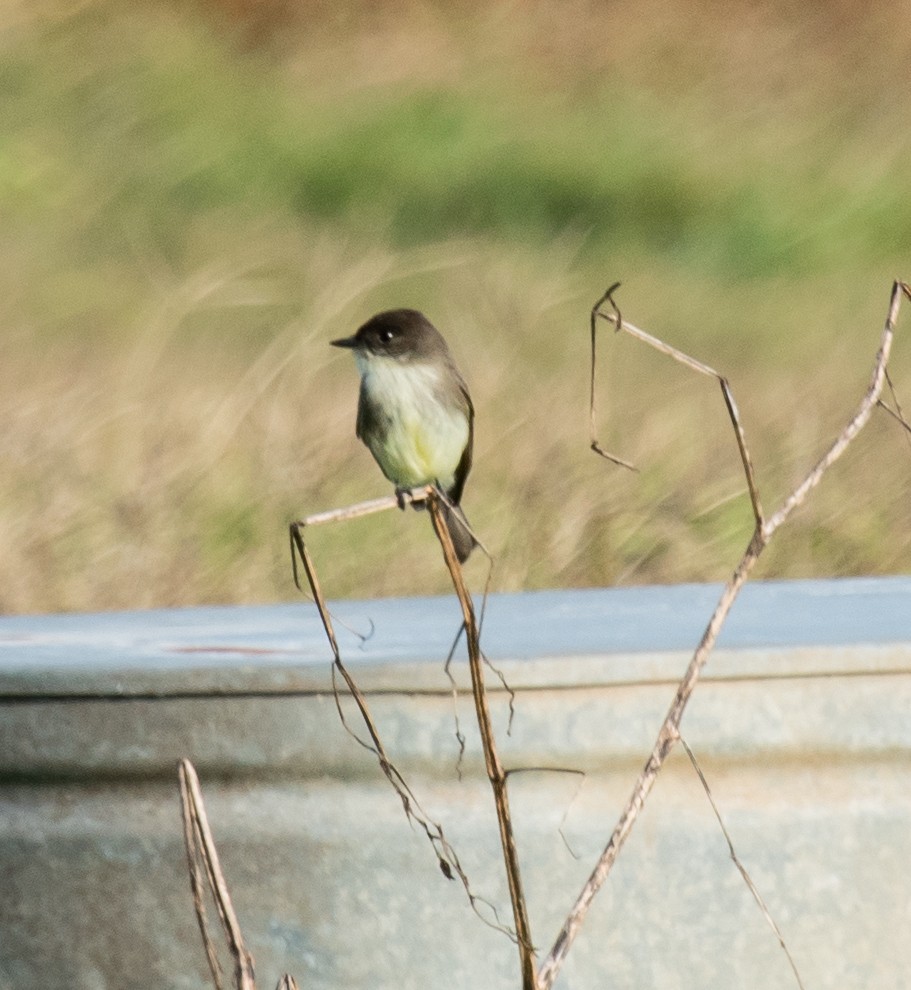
(414, 412)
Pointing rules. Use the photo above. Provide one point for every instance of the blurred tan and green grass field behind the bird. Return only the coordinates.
(195, 198)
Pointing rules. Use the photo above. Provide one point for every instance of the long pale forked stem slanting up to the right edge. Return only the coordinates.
(669, 732)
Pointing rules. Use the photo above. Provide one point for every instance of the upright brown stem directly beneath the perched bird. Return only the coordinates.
(495, 772)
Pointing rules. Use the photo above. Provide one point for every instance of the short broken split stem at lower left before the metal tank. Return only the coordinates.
(201, 846)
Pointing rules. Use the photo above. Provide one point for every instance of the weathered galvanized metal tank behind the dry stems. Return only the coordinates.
(802, 725)
